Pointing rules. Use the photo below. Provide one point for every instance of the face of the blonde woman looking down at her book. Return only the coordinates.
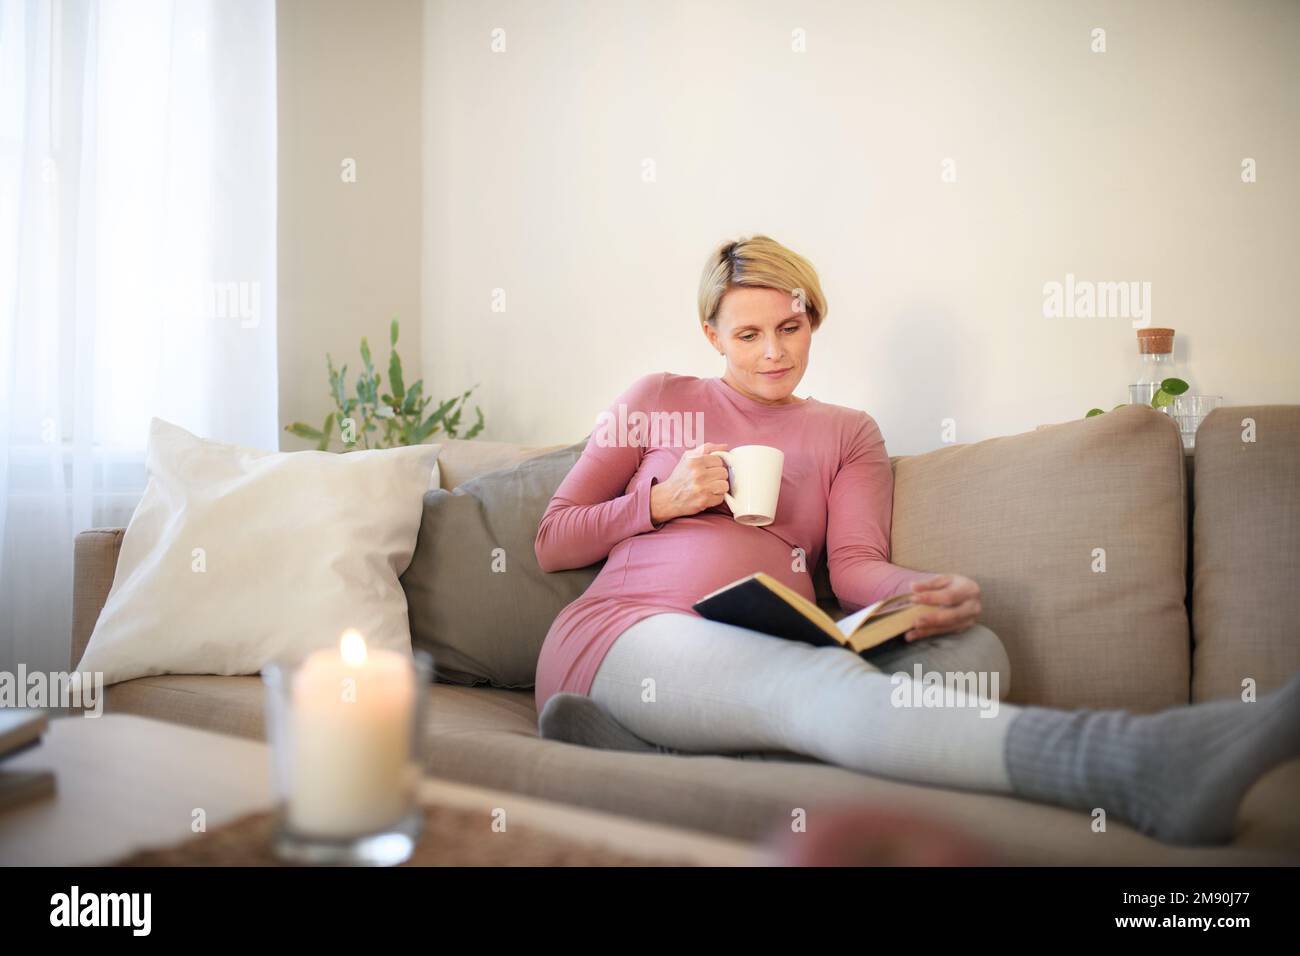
(762, 331)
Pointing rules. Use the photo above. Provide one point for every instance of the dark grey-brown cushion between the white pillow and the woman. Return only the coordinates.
(478, 600)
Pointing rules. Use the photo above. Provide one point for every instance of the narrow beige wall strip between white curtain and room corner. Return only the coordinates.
(349, 253)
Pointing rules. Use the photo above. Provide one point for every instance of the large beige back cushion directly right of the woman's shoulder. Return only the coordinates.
(1032, 517)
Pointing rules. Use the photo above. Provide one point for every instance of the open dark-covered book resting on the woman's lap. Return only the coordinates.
(761, 603)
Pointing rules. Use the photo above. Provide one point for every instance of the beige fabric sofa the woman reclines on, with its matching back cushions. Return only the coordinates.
(1115, 572)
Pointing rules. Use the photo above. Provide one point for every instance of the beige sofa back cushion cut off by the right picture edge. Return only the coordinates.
(1246, 551)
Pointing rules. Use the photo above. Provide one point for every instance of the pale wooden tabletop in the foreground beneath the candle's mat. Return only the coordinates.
(125, 784)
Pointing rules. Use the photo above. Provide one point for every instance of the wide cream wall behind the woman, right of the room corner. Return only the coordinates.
(1113, 167)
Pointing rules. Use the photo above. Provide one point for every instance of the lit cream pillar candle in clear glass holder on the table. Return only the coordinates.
(346, 734)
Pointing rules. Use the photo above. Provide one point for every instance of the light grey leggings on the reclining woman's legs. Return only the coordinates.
(699, 686)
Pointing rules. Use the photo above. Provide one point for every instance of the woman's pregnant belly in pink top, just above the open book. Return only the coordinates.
(691, 557)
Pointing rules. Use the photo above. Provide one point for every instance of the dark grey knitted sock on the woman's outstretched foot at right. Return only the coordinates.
(1177, 776)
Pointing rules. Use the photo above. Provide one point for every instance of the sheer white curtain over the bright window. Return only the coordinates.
(137, 269)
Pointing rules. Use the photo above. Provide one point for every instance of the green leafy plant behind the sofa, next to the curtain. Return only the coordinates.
(369, 419)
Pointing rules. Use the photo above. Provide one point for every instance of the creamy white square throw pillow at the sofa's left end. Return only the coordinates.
(237, 557)
